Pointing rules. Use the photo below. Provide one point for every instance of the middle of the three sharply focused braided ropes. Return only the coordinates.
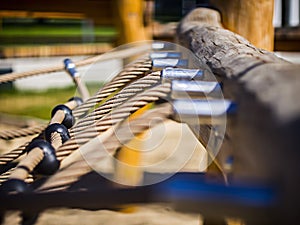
(129, 91)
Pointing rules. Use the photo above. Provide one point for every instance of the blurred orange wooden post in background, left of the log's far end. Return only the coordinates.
(129, 20)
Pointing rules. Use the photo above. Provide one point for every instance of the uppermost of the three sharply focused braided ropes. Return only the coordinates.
(127, 75)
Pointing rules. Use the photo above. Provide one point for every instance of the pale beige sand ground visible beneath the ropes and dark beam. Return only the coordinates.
(169, 140)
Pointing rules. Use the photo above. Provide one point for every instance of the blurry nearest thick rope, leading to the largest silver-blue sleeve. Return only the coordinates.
(102, 146)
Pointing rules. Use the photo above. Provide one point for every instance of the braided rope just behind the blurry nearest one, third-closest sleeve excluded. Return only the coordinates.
(115, 116)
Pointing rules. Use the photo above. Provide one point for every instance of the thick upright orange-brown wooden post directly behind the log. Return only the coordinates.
(253, 19)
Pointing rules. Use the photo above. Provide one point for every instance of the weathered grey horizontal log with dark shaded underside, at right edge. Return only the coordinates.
(265, 131)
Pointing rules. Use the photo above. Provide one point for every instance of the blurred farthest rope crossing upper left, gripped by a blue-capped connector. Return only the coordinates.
(110, 55)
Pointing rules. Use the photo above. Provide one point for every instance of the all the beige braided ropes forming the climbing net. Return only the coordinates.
(100, 117)
